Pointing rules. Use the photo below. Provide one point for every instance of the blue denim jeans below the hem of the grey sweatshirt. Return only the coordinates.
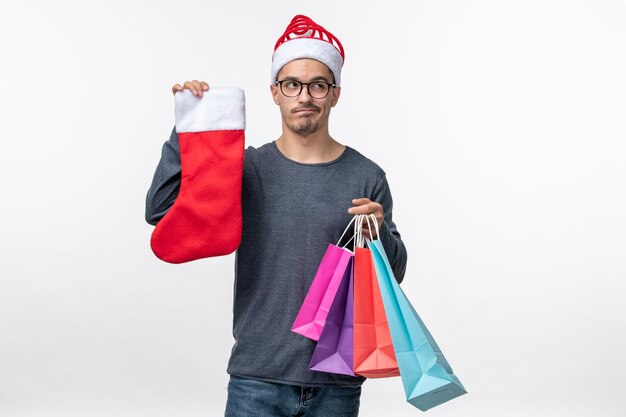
(251, 398)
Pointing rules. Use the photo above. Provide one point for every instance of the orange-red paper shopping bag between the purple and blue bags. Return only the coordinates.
(374, 356)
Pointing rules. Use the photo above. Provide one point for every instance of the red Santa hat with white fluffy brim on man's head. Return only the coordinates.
(304, 38)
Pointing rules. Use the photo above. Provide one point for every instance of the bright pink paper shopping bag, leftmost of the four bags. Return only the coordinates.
(316, 305)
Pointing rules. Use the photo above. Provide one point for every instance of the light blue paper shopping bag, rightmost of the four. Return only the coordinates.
(427, 377)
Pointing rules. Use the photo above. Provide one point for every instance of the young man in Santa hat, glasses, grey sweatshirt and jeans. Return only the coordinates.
(298, 194)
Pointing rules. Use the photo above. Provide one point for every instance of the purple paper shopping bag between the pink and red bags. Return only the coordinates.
(334, 350)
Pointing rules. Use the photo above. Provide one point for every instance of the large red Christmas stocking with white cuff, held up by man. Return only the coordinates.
(205, 219)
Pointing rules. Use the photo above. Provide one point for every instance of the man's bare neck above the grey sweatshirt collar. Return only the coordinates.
(318, 147)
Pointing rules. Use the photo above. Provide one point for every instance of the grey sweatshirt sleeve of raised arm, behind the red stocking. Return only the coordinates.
(165, 182)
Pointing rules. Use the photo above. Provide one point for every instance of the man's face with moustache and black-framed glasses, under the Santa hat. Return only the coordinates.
(304, 114)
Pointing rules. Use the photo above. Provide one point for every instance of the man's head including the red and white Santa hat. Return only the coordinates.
(306, 72)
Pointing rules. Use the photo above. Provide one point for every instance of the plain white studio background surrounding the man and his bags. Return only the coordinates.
(500, 125)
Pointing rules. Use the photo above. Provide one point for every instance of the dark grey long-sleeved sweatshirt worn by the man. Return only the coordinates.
(291, 213)
